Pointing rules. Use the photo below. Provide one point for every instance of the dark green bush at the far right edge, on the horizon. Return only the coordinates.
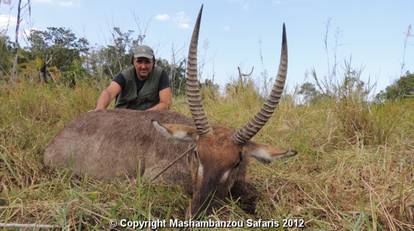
(402, 88)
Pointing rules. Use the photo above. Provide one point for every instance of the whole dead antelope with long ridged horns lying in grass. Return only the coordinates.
(110, 143)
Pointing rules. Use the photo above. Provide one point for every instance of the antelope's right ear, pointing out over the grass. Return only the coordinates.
(266, 153)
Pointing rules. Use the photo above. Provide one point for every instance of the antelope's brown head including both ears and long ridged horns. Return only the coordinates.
(220, 156)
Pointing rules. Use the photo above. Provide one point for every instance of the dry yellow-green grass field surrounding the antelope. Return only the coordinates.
(354, 171)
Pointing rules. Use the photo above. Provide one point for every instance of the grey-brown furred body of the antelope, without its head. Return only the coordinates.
(108, 143)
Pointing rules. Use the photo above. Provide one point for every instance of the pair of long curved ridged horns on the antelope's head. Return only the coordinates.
(252, 127)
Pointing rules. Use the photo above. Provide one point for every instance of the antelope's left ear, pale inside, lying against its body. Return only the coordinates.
(176, 131)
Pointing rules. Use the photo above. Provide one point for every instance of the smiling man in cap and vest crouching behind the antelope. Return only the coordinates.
(142, 86)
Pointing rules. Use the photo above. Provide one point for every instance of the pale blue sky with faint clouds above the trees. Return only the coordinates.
(247, 33)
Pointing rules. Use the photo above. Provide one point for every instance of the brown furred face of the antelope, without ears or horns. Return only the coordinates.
(218, 153)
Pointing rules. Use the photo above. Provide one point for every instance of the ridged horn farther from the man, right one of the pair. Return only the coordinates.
(259, 120)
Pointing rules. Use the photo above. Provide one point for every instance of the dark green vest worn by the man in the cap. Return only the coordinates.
(146, 98)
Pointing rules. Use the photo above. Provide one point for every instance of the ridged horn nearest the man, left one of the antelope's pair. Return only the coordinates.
(192, 90)
